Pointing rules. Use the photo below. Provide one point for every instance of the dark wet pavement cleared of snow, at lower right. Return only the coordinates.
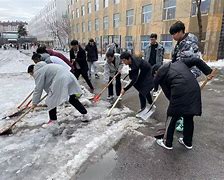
(138, 157)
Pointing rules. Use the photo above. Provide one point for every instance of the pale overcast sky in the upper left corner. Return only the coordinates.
(21, 10)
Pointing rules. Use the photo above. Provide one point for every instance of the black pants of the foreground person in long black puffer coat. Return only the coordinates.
(187, 133)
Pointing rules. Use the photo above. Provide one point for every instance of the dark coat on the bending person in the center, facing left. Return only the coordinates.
(141, 76)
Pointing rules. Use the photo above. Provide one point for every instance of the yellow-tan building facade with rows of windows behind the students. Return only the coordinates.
(130, 22)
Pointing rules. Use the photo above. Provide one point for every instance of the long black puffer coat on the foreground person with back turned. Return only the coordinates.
(180, 86)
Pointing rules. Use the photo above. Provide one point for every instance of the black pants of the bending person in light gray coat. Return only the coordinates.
(73, 101)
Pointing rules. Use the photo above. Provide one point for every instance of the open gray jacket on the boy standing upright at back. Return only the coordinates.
(159, 54)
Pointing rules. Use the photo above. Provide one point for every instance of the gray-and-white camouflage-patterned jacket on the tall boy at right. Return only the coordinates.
(187, 48)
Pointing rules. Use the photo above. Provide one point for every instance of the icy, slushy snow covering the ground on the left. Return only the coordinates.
(57, 152)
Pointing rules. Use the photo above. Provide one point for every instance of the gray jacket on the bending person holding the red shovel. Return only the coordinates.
(110, 69)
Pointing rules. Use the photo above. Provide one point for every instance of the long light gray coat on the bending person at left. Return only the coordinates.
(57, 82)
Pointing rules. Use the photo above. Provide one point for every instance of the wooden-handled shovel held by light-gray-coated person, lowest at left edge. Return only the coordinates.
(8, 128)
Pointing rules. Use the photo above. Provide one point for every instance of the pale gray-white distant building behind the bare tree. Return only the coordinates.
(47, 26)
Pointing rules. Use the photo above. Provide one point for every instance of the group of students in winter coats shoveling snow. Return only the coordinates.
(176, 78)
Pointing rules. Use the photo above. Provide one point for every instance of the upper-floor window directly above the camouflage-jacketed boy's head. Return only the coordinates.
(169, 9)
